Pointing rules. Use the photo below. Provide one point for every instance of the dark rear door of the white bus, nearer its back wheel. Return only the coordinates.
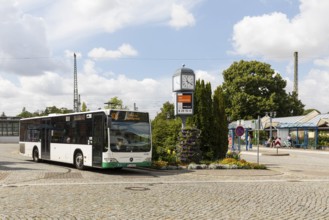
(45, 139)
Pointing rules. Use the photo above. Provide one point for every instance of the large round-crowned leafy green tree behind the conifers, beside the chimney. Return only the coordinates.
(252, 88)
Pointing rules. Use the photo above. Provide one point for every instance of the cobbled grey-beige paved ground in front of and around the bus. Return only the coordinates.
(288, 190)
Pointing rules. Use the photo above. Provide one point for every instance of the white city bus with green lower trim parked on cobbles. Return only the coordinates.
(102, 139)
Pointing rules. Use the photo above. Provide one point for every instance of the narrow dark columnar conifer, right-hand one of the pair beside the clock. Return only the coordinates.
(220, 128)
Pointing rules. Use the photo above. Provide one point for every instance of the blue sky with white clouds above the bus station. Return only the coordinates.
(131, 49)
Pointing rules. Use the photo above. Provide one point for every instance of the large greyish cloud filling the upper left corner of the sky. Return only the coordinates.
(24, 48)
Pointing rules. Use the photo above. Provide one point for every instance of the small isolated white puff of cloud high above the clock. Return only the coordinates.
(180, 17)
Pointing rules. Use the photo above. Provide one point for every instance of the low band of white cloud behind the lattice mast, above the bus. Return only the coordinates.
(95, 87)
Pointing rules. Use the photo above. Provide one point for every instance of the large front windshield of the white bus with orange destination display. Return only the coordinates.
(129, 134)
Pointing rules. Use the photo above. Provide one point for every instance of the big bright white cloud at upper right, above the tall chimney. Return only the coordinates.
(276, 36)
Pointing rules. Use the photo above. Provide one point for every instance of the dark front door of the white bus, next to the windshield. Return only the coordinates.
(98, 138)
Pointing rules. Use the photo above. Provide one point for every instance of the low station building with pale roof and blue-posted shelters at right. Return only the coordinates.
(309, 131)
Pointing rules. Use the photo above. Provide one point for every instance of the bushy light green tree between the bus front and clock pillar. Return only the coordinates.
(165, 131)
